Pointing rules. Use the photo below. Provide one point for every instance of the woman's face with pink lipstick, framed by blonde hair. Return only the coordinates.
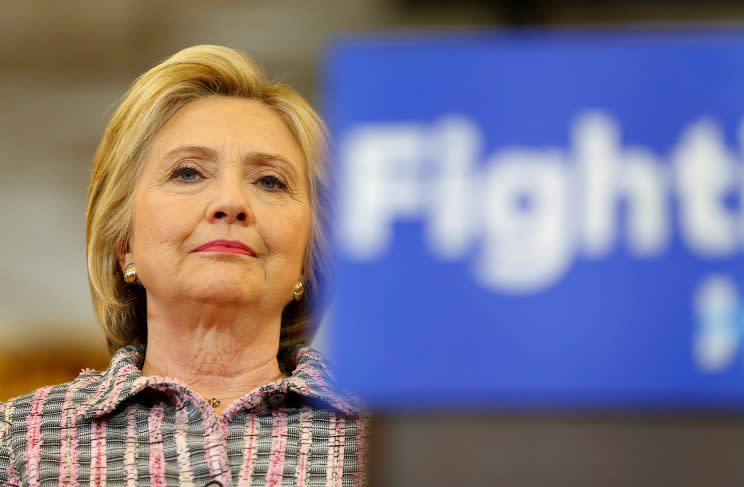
(221, 210)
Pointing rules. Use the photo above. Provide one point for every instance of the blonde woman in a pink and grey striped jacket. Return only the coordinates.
(206, 258)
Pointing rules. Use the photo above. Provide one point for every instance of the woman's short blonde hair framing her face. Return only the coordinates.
(151, 101)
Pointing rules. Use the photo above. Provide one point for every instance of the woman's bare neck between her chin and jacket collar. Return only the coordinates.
(218, 351)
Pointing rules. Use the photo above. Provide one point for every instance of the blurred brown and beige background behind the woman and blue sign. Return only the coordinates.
(65, 65)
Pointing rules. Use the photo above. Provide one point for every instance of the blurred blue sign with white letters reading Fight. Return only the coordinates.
(539, 220)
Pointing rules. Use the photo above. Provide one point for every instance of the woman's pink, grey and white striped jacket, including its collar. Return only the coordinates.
(116, 427)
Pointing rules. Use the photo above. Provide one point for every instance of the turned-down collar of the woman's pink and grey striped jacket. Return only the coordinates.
(99, 393)
